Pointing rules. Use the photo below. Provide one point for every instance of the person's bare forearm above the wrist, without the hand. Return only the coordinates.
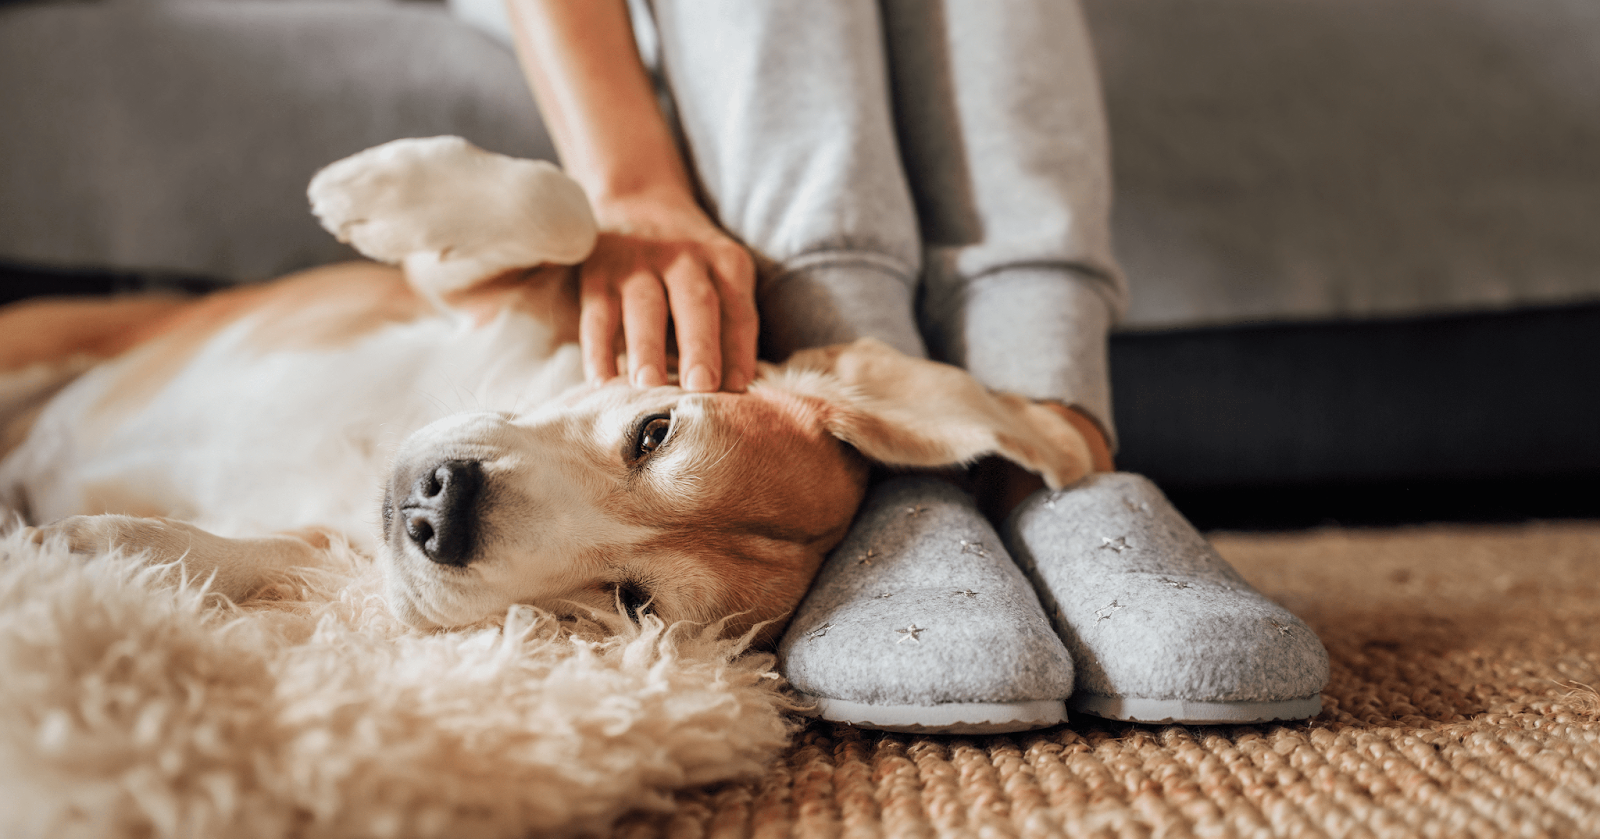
(598, 102)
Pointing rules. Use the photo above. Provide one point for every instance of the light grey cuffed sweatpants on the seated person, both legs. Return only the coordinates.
(927, 172)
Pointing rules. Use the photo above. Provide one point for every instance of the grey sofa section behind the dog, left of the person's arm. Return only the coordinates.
(182, 137)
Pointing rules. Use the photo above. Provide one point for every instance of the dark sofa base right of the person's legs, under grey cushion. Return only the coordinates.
(1506, 396)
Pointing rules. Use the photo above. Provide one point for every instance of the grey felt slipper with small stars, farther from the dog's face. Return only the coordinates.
(1161, 628)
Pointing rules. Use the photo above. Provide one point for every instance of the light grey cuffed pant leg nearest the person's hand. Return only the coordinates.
(786, 119)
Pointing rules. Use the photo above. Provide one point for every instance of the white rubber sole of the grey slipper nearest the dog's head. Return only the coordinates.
(956, 718)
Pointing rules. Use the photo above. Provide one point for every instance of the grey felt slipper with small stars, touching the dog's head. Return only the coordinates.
(919, 622)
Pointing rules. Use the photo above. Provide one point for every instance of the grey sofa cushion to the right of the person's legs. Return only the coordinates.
(1337, 159)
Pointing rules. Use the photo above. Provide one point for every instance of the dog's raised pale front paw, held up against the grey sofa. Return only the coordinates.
(450, 214)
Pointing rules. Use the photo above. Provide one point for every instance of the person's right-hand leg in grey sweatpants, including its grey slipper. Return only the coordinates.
(1006, 148)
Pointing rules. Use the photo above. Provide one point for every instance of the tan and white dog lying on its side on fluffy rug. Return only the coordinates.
(433, 415)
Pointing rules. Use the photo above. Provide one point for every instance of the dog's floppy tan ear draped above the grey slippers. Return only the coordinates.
(911, 412)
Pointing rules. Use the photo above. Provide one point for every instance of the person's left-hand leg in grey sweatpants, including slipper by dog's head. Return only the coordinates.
(919, 620)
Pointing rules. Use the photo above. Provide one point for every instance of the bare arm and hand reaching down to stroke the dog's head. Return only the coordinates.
(662, 260)
